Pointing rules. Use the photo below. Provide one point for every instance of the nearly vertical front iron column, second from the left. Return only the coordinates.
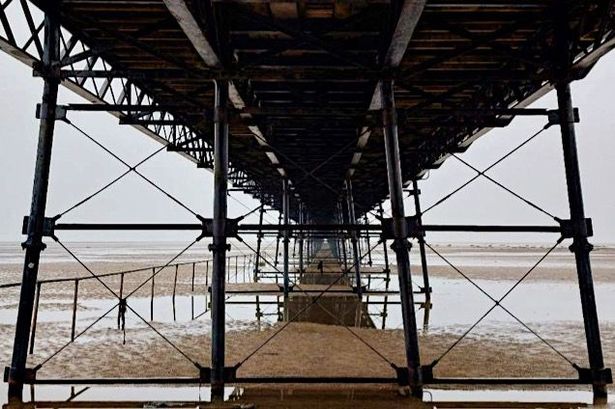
(219, 245)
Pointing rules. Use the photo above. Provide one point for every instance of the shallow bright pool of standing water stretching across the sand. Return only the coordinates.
(456, 305)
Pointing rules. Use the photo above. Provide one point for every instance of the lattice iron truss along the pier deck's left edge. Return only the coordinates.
(96, 80)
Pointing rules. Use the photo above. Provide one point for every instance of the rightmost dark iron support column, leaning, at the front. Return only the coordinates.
(580, 245)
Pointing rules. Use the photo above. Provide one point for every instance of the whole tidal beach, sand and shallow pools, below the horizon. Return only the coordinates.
(547, 302)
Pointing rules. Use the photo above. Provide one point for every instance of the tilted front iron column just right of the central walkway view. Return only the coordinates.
(401, 245)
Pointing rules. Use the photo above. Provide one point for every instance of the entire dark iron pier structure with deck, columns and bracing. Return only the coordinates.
(324, 111)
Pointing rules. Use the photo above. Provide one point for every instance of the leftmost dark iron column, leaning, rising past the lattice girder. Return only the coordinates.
(34, 241)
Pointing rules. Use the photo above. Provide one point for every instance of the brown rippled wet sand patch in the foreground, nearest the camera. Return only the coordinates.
(297, 351)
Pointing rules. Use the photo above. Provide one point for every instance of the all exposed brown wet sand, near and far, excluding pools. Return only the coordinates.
(302, 349)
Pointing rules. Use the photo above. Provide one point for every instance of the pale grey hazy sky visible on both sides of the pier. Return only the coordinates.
(80, 168)
